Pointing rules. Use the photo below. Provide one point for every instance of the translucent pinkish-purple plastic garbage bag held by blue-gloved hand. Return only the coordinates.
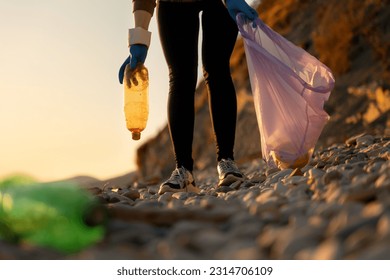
(290, 87)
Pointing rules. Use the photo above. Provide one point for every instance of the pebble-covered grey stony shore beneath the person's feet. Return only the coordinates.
(337, 207)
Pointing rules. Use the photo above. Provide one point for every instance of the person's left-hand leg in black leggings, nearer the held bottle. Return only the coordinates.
(178, 25)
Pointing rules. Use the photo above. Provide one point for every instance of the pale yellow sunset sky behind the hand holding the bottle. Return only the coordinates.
(61, 105)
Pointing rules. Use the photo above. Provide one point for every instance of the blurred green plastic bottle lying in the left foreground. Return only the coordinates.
(61, 216)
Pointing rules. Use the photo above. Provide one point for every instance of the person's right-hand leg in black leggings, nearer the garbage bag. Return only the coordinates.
(219, 37)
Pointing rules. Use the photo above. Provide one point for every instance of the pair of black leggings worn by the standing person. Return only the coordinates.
(178, 30)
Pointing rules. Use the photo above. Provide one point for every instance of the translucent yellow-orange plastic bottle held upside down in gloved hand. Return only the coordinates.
(136, 88)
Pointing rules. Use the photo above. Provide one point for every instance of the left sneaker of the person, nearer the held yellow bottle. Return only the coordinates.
(181, 180)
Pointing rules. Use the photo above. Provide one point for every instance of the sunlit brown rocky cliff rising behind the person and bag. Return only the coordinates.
(352, 37)
